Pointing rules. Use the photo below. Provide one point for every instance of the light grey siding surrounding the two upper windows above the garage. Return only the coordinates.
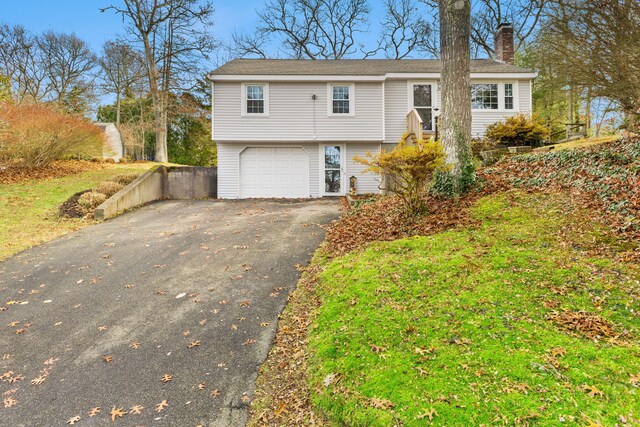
(295, 116)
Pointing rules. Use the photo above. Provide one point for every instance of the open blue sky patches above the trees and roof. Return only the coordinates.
(84, 18)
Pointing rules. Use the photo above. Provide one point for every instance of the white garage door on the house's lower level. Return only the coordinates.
(274, 172)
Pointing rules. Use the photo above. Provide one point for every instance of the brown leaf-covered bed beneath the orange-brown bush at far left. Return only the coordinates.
(57, 169)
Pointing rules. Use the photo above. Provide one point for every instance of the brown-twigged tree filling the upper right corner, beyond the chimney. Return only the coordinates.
(606, 61)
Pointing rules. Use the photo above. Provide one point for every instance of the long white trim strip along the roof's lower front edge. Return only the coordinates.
(357, 78)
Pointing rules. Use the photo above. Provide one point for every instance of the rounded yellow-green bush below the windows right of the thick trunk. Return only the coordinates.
(517, 130)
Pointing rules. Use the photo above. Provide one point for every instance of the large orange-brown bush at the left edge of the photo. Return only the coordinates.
(33, 136)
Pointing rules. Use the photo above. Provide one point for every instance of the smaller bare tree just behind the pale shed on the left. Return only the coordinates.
(122, 67)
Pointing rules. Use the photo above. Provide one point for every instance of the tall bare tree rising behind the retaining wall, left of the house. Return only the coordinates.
(174, 36)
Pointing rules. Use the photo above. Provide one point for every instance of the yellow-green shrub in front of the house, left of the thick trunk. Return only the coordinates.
(408, 170)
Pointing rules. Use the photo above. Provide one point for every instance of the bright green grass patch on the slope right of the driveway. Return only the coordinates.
(456, 329)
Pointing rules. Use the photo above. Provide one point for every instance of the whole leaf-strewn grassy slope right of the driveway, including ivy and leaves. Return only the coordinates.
(516, 305)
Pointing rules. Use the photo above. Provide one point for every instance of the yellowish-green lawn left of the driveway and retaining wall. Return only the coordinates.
(29, 209)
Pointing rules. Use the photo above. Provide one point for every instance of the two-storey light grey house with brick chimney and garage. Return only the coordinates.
(291, 128)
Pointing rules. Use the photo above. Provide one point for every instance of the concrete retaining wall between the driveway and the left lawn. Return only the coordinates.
(161, 183)
